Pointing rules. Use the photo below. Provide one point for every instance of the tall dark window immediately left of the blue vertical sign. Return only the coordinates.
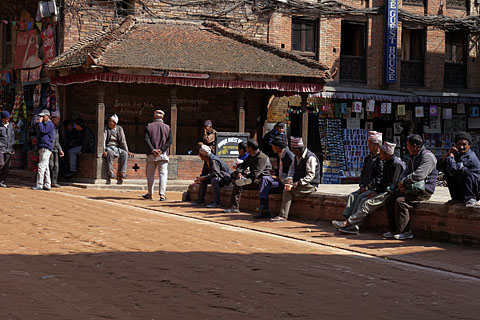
(353, 52)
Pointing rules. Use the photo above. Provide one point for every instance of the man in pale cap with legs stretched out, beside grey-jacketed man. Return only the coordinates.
(393, 167)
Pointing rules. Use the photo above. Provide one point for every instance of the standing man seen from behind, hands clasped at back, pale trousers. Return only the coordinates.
(158, 138)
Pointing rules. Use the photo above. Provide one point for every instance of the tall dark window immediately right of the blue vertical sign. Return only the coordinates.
(412, 65)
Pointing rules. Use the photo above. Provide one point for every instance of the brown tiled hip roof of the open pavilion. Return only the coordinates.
(188, 47)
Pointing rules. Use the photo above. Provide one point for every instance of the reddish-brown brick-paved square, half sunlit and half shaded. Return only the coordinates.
(90, 254)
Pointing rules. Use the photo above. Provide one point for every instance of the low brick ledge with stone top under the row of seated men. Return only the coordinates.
(430, 219)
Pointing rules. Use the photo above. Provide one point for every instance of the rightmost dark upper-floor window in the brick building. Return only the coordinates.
(455, 71)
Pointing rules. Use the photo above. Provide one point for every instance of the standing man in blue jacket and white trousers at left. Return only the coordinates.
(45, 135)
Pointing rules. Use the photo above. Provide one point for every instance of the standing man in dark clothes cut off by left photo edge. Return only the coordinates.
(7, 141)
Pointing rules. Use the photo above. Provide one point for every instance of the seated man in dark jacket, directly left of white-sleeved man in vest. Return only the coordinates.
(275, 183)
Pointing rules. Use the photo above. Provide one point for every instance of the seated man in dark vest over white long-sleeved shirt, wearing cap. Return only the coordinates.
(302, 179)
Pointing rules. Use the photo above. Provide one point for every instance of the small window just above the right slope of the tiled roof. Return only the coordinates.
(304, 36)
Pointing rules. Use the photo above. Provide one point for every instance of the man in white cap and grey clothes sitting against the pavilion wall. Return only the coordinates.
(115, 146)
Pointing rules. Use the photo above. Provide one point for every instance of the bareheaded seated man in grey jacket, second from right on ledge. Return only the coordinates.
(416, 184)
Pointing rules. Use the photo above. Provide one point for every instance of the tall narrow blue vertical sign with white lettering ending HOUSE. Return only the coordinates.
(391, 21)
